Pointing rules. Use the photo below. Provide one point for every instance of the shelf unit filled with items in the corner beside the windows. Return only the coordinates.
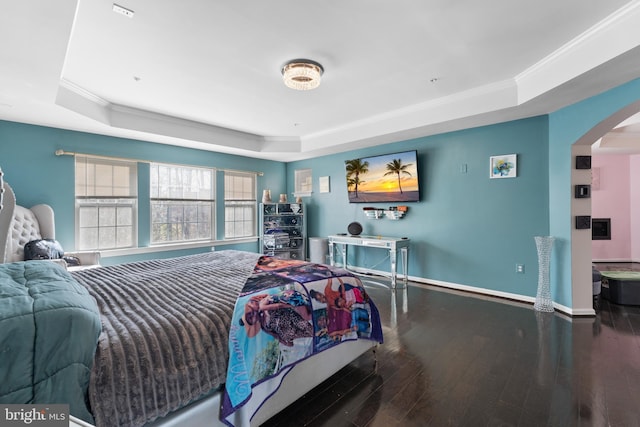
(283, 230)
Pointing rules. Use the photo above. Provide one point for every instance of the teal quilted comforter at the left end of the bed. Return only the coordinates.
(49, 328)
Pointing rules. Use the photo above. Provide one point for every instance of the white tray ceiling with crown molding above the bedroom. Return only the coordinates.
(206, 73)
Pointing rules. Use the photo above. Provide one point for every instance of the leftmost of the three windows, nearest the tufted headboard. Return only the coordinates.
(106, 203)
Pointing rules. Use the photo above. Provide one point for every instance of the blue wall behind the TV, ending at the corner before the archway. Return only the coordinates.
(467, 228)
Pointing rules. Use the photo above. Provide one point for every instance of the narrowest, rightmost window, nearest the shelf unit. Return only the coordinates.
(239, 204)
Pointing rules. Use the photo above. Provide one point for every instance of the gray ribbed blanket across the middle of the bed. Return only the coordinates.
(165, 329)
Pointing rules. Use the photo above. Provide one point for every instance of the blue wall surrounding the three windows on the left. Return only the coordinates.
(37, 175)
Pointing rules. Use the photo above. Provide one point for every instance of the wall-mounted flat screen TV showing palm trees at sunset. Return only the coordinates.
(390, 178)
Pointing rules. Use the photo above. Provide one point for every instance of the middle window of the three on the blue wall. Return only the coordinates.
(182, 203)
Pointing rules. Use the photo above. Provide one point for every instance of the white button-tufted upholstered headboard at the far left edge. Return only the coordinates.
(19, 225)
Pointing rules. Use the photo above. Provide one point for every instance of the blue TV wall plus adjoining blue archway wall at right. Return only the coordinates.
(471, 230)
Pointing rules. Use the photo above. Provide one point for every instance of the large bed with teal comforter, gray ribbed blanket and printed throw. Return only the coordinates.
(229, 336)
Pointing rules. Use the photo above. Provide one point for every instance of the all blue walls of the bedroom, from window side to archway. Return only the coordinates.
(467, 229)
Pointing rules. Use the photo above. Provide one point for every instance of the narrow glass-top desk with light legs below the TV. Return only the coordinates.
(392, 244)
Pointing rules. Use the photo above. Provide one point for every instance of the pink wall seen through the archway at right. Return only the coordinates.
(610, 198)
